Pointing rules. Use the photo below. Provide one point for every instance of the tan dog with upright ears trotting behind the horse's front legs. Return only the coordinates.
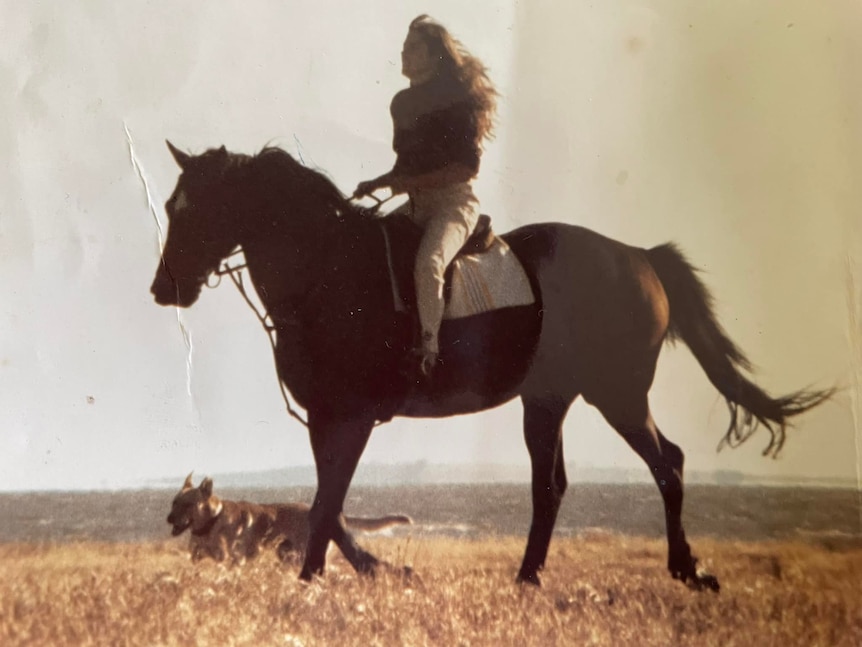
(239, 529)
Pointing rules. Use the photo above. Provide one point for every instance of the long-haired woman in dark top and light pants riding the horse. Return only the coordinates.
(439, 124)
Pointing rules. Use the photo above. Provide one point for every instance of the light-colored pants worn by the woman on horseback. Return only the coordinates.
(447, 215)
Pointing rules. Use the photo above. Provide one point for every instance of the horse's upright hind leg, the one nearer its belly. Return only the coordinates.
(543, 421)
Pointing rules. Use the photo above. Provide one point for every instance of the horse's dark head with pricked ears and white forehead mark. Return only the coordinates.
(201, 231)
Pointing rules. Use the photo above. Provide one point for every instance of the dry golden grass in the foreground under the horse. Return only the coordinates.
(598, 589)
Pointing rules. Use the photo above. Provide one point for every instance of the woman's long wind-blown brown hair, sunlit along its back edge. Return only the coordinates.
(463, 68)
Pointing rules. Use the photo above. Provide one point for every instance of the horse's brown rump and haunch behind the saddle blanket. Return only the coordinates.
(604, 309)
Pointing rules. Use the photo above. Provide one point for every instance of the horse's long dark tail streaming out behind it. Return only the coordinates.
(692, 319)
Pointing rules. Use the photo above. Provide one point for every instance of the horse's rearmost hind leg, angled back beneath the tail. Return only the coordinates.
(633, 421)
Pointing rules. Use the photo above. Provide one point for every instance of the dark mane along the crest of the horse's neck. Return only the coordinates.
(278, 171)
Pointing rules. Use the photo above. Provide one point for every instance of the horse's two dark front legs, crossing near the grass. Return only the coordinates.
(337, 444)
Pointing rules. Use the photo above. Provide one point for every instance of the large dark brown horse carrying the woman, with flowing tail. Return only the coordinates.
(603, 312)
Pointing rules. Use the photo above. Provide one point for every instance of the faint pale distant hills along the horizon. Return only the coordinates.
(423, 473)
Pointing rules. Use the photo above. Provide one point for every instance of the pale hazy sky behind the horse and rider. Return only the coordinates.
(732, 129)
